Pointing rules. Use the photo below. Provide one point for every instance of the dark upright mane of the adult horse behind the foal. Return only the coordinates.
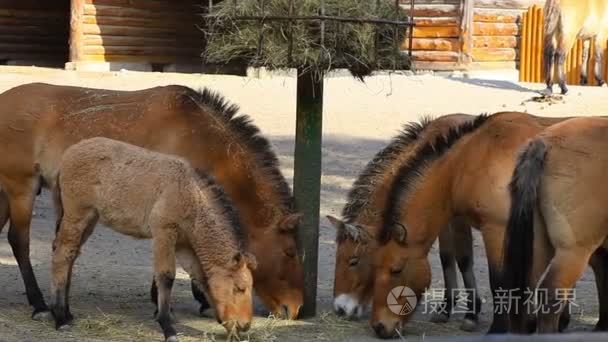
(243, 127)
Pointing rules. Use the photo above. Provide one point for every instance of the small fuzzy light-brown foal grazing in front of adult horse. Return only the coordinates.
(146, 194)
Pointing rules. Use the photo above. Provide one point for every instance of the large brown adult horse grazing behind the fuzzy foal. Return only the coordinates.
(198, 126)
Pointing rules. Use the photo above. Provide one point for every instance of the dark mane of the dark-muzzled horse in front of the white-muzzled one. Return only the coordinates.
(409, 173)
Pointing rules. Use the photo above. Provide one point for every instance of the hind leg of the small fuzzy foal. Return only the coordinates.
(74, 231)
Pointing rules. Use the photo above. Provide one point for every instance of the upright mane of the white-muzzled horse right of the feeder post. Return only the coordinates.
(362, 189)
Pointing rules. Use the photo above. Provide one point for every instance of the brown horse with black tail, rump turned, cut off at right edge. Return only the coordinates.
(558, 217)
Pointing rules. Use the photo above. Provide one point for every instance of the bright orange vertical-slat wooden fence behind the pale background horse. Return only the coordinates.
(531, 52)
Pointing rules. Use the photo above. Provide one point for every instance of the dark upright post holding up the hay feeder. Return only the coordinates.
(307, 179)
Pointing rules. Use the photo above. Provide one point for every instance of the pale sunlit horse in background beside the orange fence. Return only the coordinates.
(565, 22)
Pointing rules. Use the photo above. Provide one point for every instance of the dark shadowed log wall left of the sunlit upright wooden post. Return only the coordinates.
(34, 31)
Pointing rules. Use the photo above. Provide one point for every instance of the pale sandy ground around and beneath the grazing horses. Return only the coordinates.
(112, 277)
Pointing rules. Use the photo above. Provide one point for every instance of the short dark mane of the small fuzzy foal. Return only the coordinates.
(229, 211)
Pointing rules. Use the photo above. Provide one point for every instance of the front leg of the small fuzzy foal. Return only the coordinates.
(164, 274)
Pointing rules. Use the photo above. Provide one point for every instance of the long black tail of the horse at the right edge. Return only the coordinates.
(519, 236)
